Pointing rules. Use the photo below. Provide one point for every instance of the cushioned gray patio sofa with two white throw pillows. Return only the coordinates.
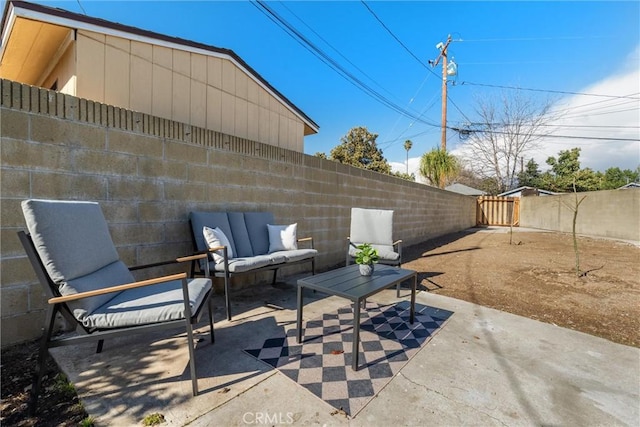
(245, 243)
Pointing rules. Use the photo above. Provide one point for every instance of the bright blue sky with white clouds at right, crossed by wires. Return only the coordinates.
(556, 48)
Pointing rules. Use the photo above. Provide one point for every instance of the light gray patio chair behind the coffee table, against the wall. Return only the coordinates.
(374, 226)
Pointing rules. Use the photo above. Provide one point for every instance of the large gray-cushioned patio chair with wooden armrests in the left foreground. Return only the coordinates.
(70, 248)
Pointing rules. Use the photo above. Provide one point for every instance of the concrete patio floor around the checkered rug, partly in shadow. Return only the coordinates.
(484, 367)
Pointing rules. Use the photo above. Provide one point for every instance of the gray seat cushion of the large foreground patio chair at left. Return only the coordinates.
(149, 304)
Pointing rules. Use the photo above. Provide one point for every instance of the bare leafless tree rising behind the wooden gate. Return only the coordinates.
(507, 129)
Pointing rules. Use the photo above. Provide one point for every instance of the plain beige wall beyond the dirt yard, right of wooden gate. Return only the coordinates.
(611, 213)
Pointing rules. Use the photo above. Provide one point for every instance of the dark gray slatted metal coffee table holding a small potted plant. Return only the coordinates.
(346, 282)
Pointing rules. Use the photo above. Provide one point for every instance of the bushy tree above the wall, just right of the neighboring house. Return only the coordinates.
(359, 149)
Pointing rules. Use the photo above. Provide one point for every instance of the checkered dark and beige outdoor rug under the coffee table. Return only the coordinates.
(322, 362)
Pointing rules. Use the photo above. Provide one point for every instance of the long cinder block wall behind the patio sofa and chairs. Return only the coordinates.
(149, 173)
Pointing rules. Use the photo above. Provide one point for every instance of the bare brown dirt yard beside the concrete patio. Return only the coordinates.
(535, 277)
